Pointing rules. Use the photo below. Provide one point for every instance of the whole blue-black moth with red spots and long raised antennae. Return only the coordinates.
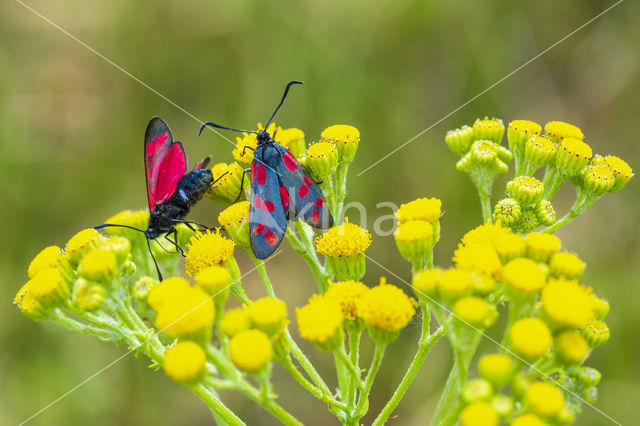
(281, 190)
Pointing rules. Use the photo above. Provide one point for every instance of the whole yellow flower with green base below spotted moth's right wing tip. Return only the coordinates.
(344, 246)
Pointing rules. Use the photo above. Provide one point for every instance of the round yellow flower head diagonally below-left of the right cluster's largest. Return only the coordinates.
(530, 337)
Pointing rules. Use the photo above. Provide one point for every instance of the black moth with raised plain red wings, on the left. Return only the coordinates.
(171, 191)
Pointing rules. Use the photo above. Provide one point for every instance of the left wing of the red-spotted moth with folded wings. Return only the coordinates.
(267, 219)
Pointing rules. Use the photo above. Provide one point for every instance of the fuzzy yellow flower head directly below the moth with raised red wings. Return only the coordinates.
(207, 249)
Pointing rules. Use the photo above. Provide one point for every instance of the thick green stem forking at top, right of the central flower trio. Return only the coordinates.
(426, 343)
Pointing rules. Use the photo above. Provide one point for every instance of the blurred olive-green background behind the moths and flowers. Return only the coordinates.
(71, 130)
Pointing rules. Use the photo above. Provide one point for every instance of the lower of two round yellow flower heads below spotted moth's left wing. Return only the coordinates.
(250, 350)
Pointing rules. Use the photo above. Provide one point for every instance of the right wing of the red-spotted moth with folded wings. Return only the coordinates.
(305, 195)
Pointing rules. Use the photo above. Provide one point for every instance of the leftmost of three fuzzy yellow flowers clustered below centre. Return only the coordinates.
(320, 321)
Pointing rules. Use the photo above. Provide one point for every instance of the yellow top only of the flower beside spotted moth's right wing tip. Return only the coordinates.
(344, 240)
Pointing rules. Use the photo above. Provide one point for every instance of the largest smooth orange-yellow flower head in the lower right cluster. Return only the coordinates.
(567, 303)
